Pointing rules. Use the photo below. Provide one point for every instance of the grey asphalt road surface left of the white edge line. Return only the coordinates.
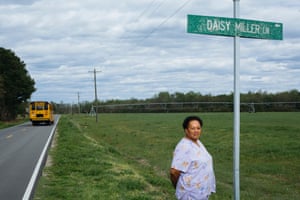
(20, 149)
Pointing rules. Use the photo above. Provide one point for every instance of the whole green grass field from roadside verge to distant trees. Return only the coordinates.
(128, 156)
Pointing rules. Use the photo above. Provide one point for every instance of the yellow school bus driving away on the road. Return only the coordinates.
(41, 112)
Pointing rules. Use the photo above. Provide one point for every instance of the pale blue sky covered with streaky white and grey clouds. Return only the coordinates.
(141, 47)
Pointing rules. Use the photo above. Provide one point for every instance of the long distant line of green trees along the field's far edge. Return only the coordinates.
(261, 101)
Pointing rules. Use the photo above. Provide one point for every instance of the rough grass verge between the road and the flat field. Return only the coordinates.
(84, 167)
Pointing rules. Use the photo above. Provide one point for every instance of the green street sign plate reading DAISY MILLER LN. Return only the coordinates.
(234, 27)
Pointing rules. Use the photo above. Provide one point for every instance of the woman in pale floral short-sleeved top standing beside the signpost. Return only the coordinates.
(192, 171)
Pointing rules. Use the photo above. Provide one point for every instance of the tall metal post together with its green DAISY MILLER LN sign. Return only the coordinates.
(236, 28)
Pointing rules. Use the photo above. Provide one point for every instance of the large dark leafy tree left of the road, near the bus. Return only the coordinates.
(16, 85)
